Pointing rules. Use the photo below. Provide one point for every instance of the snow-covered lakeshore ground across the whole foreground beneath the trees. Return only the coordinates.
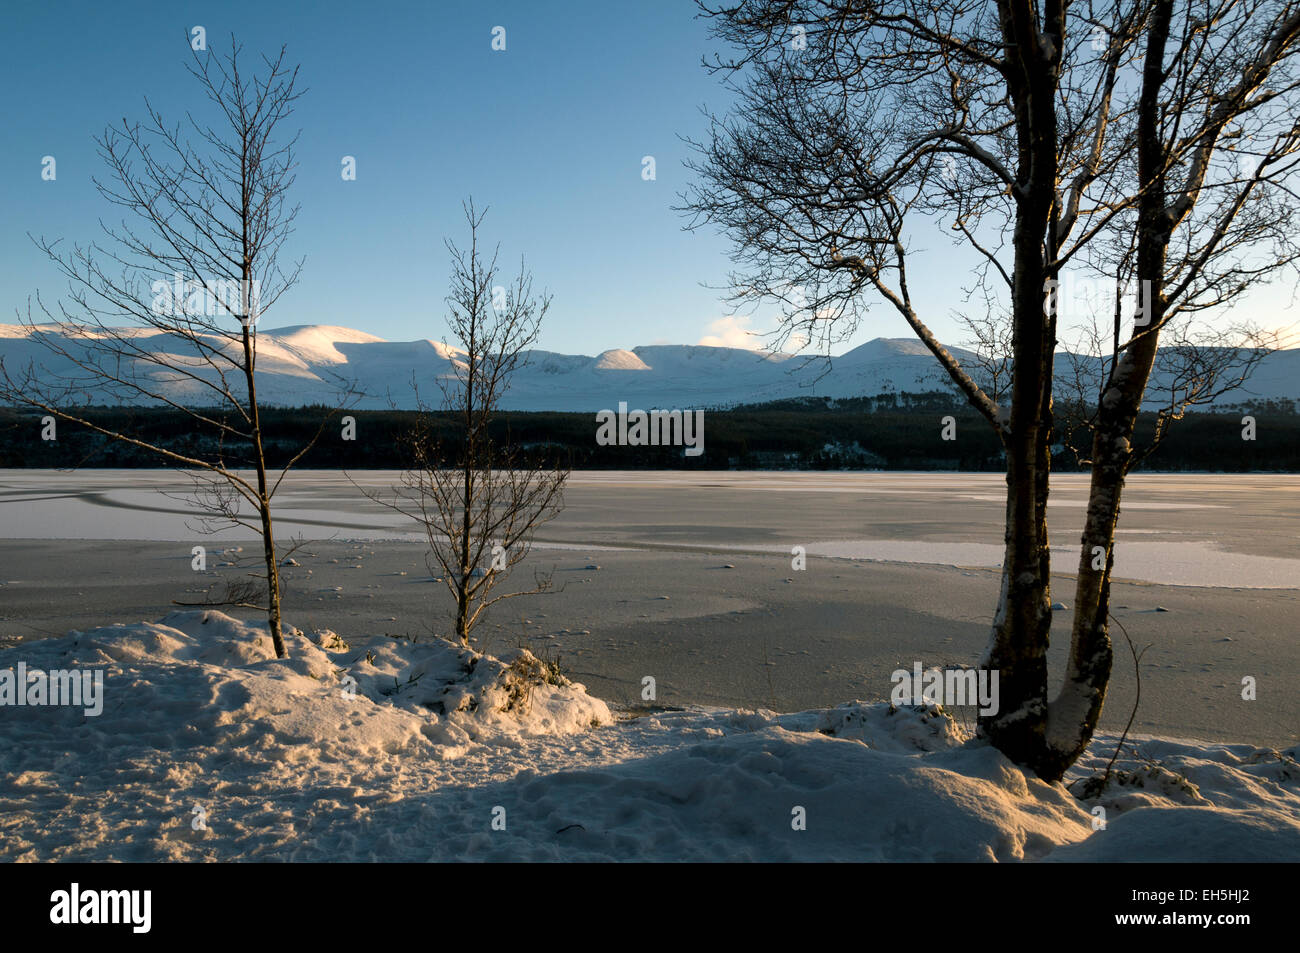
(210, 748)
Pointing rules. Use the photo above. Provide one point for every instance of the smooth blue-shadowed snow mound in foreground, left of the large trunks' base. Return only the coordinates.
(764, 787)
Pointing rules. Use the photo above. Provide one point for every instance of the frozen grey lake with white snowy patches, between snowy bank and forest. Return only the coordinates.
(695, 582)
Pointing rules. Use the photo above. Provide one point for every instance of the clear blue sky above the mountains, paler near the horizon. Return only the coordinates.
(549, 135)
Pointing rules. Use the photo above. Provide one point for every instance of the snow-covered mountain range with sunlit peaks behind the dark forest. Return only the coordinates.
(306, 365)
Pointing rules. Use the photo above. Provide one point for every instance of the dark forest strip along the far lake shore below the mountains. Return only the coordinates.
(796, 435)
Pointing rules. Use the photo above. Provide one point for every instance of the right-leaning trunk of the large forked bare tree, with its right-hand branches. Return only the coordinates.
(1204, 231)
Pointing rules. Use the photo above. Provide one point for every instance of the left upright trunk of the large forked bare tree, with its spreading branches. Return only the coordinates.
(857, 119)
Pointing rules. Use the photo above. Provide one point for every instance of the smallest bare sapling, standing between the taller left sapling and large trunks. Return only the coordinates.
(480, 500)
